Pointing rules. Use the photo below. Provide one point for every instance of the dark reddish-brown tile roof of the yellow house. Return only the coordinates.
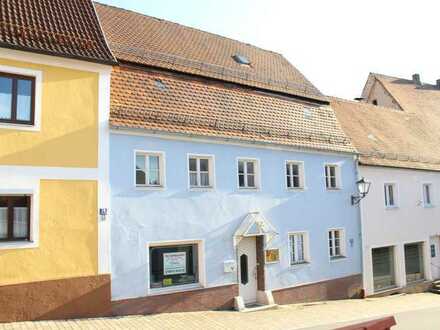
(68, 28)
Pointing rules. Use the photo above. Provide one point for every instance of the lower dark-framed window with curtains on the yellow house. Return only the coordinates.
(15, 218)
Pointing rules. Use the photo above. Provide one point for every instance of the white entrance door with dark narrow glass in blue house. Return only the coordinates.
(247, 269)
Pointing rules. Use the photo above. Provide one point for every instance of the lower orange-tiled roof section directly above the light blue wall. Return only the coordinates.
(172, 103)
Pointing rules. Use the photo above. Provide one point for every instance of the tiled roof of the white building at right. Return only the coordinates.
(390, 137)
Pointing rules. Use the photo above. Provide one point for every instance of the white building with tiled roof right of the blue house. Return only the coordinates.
(397, 136)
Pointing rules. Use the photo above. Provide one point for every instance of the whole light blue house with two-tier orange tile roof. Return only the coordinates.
(234, 181)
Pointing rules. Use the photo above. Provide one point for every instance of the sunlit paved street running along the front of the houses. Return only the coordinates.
(417, 311)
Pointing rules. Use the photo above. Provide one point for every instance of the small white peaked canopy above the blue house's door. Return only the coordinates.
(255, 224)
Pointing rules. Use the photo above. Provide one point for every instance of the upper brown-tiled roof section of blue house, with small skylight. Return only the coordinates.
(146, 40)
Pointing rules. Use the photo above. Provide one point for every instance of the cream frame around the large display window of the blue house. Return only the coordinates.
(179, 288)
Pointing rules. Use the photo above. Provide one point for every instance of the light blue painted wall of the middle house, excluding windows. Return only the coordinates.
(140, 216)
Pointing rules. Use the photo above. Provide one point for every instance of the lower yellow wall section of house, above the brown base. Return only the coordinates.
(68, 236)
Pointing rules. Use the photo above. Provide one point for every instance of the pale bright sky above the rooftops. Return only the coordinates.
(334, 43)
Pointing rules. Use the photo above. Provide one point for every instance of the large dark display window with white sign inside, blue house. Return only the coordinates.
(173, 265)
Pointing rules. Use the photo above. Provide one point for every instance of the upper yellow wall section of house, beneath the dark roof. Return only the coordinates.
(69, 122)
